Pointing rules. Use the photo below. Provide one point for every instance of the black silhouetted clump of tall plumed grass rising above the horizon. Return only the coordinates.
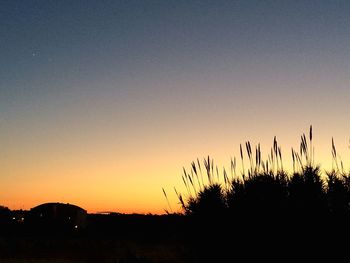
(265, 189)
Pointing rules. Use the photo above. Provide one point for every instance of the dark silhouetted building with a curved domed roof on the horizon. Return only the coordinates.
(58, 214)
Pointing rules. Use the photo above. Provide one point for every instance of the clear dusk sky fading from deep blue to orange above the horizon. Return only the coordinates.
(103, 102)
